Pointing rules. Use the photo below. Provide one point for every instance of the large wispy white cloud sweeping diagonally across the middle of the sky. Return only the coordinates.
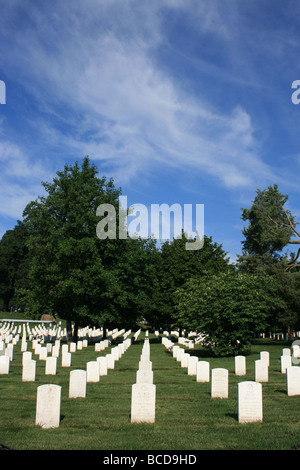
(134, 113)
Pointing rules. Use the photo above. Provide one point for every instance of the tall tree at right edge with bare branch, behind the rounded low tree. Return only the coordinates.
(272, 229)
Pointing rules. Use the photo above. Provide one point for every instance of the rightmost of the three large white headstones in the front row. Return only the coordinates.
(250, 402)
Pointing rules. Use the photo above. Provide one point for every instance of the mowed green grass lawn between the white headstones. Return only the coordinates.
(187, 418)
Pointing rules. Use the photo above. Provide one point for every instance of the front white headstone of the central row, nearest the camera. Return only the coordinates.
(143, 403)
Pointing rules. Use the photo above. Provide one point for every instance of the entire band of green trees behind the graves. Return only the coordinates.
(53, 262)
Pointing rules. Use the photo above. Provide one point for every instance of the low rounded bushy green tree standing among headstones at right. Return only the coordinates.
(228, 309)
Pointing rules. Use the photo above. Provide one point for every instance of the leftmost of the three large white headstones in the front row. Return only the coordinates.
(48, 406)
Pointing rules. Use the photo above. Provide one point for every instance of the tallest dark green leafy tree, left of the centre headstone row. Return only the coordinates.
(72, 272)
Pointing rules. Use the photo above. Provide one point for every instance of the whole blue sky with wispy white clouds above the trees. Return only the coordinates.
(180, 101)
